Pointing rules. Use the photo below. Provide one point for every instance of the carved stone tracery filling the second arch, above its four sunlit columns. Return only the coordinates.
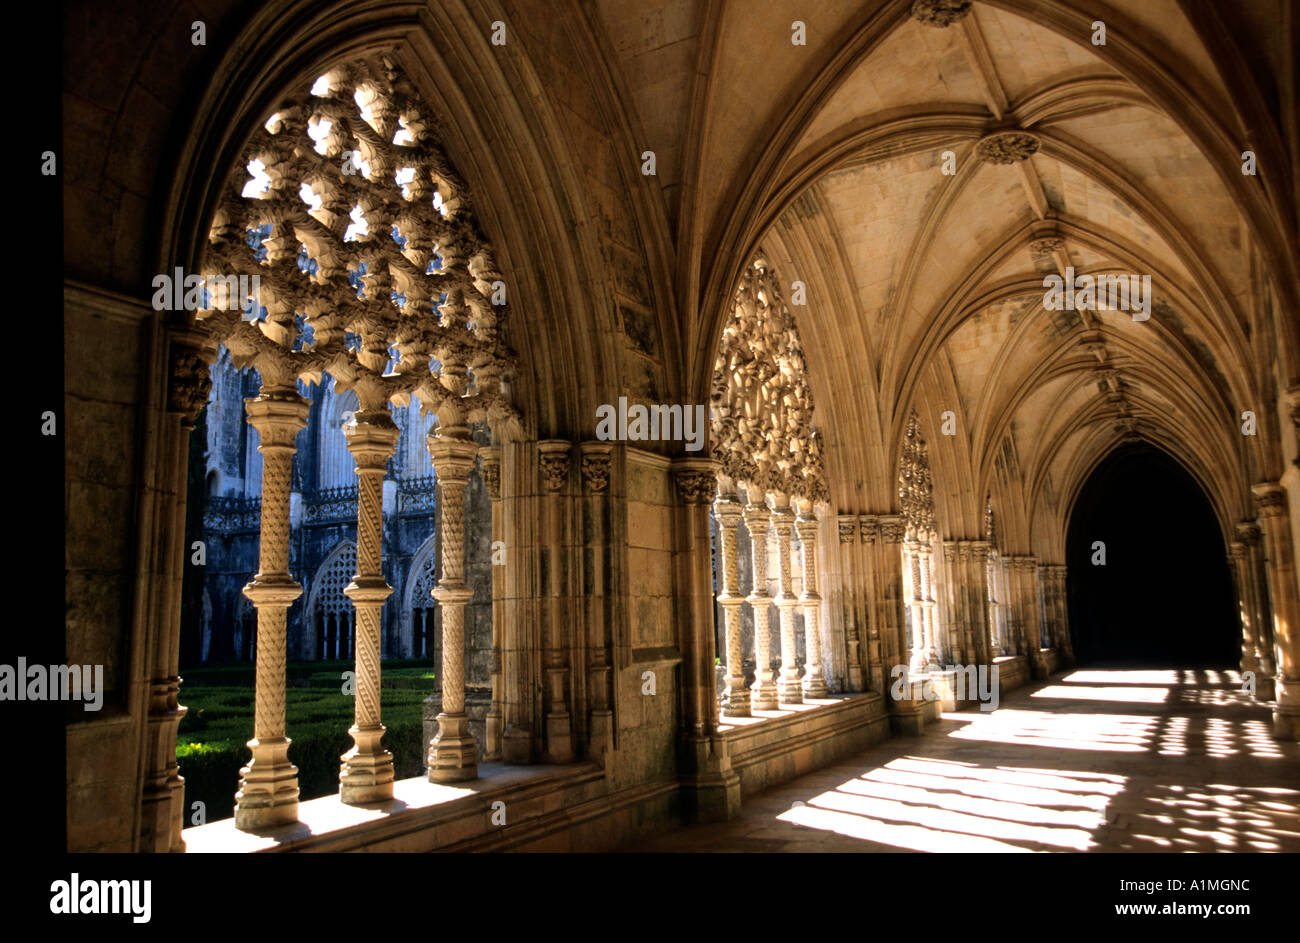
(762, 403)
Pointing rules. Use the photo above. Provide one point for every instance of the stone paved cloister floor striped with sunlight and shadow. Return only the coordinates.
(1093, 760)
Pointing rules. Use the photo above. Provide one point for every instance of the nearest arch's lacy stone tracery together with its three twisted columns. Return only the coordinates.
(401, 226)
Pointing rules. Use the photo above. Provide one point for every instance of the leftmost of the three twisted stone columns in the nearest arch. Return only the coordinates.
(268, 785)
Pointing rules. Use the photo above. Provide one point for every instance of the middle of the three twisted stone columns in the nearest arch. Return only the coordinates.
(367, 773)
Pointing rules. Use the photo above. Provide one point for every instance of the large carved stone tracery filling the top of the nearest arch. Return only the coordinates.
(370, 263)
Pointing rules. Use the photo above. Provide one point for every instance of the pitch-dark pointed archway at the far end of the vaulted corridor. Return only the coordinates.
(1164, 595)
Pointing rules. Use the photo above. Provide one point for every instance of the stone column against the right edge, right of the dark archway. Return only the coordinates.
(1271, 498)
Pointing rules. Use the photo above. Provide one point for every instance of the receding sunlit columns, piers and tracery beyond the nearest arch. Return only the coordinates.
(772, 471)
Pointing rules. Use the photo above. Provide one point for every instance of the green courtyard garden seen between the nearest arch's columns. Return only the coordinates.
(211, 743)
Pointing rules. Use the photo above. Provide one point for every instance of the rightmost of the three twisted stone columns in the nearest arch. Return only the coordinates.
(453, 754)
